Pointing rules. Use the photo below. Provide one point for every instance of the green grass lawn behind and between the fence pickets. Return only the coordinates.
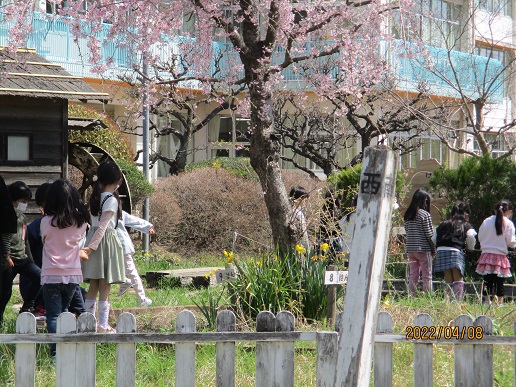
(156, 362)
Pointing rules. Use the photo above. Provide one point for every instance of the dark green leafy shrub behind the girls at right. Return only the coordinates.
(481, 182)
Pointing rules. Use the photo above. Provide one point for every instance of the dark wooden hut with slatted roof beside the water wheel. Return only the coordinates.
(34, 96)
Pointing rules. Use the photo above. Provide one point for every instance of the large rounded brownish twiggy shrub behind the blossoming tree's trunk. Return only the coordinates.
(198, 211)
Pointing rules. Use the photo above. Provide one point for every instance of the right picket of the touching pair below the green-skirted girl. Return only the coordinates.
(86, 352)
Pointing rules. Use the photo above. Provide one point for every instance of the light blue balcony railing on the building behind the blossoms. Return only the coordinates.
(53, 40)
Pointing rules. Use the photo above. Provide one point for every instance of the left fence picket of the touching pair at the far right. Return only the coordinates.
(464, 354)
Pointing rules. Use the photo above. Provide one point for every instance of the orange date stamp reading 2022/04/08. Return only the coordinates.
(433, 332)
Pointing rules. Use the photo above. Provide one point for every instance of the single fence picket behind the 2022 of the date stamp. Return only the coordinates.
(423, 355)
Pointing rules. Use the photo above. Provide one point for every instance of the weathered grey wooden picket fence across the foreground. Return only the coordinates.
(275, 338)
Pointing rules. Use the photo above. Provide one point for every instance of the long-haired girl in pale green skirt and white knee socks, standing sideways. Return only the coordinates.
(105, 265)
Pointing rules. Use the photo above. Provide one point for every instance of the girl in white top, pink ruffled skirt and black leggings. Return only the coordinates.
(496, 234)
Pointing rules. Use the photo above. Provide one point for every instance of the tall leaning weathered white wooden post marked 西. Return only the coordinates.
(366, 267)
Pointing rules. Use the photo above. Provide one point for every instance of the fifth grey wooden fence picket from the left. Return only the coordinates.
(185, 352)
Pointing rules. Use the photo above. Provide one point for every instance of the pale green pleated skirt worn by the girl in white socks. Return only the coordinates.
(107, 262)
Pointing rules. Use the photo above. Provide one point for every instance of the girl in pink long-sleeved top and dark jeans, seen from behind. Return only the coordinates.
(62, 232)
